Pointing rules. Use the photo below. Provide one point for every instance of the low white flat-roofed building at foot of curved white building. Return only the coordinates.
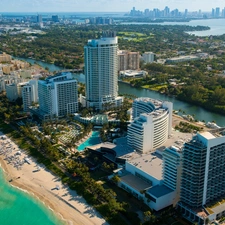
(143, 179)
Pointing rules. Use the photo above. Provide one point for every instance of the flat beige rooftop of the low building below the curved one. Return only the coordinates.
(149, 163)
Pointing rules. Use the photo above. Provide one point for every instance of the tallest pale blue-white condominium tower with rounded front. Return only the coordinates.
(101, 67)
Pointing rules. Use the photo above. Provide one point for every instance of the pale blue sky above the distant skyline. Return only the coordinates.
(105, 5)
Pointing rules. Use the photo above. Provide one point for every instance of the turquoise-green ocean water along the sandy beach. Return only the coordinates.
(18, 208)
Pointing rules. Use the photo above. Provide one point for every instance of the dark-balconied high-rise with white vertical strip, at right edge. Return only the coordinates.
(203, 177)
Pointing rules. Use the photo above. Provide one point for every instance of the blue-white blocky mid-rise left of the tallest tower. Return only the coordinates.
(58, 96)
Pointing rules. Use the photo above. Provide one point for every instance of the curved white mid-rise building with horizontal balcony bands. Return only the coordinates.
(150, 130)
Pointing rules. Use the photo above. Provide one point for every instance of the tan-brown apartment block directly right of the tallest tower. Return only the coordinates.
(128, 60)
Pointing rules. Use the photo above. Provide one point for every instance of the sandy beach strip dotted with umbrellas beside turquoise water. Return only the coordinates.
(40, 182)
